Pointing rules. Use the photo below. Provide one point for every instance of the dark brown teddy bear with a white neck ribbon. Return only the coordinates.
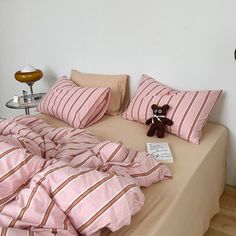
(158, 121)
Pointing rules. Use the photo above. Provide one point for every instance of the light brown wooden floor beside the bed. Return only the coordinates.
(224, 223)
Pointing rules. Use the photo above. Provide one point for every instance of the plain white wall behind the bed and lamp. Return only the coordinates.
(187, 44)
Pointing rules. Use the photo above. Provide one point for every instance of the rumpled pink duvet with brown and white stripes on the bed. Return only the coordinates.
(64, 181)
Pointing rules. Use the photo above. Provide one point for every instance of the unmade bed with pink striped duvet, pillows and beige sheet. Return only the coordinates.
(179, 206)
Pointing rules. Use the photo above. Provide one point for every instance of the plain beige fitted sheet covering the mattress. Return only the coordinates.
(184, 205)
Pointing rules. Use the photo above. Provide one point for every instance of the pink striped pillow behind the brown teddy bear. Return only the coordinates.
(189, 110)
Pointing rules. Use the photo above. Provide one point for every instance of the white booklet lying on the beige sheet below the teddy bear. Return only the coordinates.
(160, 151)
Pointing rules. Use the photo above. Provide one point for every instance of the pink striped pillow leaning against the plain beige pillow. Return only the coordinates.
(78, 106)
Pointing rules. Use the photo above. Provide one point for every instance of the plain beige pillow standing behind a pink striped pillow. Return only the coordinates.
(119, 88)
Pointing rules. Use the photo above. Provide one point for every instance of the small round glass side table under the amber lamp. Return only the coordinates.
(26, 105)
